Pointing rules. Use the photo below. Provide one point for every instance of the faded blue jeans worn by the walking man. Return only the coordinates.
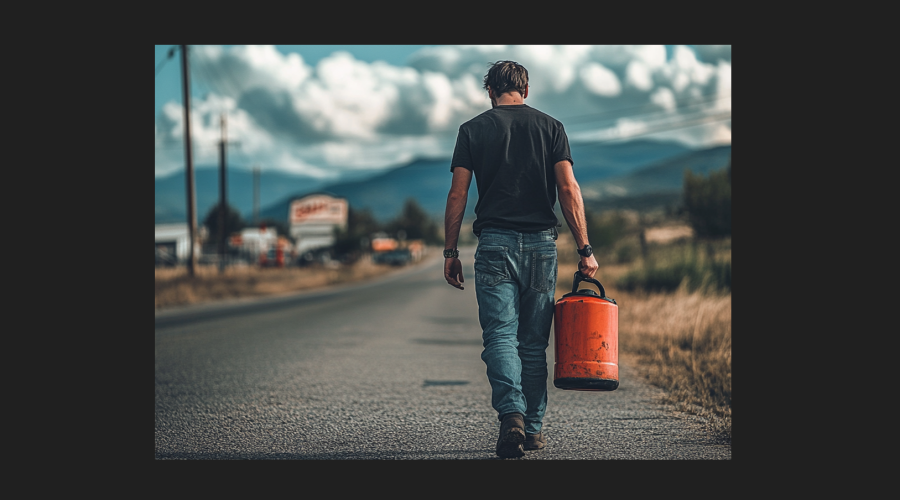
(515, 281)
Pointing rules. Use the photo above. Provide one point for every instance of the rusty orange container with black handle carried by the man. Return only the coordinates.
(586, 331)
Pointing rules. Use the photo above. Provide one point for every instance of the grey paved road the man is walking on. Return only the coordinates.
(385, 370)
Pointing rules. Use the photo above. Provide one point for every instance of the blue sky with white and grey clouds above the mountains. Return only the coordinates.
(325, 110)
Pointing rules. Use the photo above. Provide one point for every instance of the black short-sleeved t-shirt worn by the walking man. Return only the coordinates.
(512, 150)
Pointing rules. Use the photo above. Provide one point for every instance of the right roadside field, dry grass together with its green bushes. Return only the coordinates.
(679, 339)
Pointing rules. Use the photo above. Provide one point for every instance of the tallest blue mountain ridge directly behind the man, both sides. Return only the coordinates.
(428, 180)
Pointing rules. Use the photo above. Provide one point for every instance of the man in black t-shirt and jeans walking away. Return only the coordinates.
(520, 159)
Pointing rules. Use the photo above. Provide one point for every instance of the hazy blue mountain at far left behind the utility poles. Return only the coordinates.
(171, 201)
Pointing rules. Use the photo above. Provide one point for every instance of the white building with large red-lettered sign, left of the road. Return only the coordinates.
(313, 220)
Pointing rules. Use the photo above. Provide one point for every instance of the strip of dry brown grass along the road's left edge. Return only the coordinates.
(174, 287)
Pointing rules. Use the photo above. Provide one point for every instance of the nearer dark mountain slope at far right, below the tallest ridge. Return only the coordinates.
(661, 180)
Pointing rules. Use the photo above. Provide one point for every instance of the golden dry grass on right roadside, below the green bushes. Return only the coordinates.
(681, 341)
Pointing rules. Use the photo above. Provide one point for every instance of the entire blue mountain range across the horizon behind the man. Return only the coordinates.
(607, 173)
